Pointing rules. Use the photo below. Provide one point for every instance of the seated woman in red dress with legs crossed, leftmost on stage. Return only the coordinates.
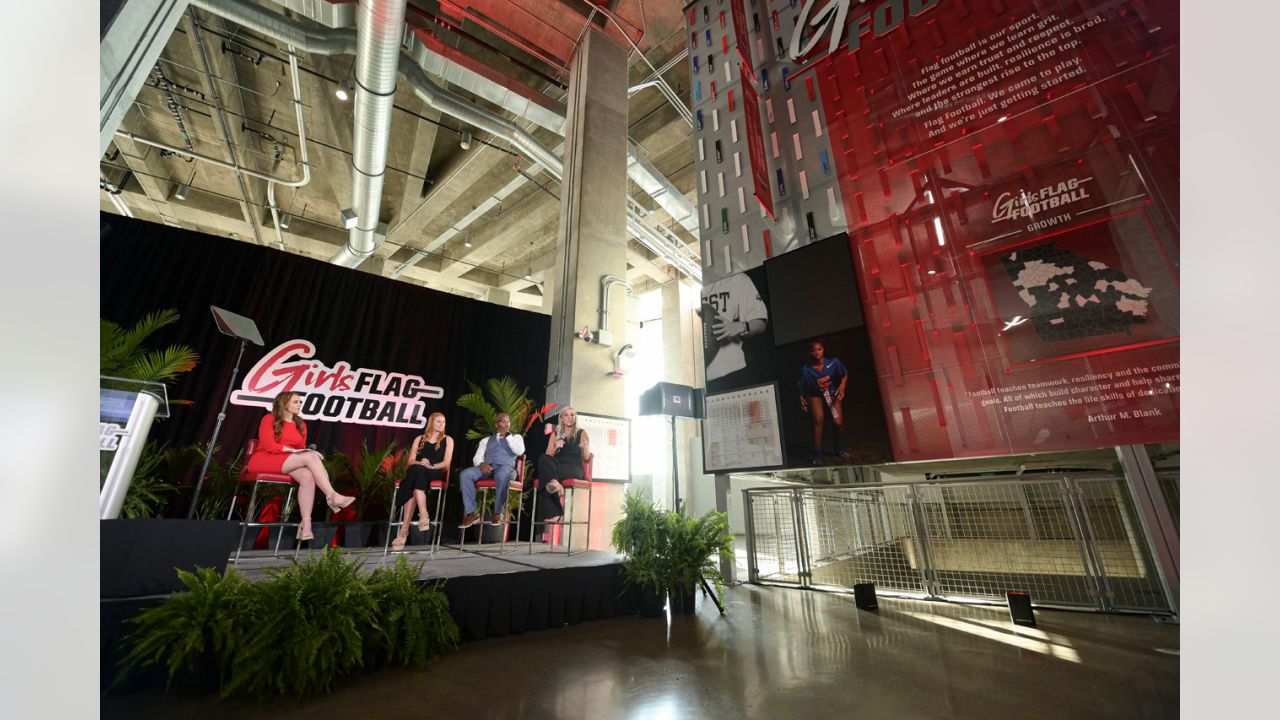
(282, 448)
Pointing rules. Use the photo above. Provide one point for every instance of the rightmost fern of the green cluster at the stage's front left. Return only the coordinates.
(414, 622)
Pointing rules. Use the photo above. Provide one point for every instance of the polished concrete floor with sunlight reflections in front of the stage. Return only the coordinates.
(779, 654)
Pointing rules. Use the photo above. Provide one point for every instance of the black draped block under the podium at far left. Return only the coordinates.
(140, 558)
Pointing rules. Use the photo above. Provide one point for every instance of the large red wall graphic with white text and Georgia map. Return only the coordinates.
(1009, 171)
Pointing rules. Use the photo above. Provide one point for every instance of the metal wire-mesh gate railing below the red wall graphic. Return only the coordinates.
(1068, 541)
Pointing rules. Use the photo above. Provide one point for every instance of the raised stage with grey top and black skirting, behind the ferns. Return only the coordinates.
(490, 595)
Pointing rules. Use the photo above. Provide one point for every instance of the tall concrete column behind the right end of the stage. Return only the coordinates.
(592, 245)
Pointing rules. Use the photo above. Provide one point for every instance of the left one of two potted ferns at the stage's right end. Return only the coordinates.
(641, 535)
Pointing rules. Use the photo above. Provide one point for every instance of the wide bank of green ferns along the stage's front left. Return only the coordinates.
(298, 632)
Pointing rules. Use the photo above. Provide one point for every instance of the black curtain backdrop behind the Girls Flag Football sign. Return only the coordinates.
(351, 316)
